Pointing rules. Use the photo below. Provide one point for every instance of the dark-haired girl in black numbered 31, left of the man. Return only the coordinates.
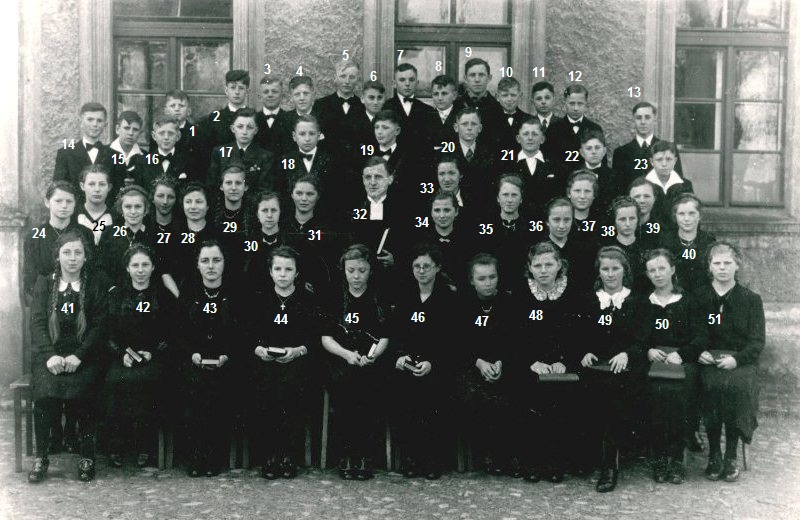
(310, 235)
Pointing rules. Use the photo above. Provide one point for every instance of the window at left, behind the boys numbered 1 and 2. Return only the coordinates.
(160, 45)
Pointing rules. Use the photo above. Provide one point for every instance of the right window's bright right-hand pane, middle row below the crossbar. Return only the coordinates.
(757, 126)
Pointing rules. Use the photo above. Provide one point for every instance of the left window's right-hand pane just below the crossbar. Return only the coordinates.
(204, 64)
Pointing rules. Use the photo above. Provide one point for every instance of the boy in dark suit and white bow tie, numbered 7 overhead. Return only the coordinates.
(411, 111)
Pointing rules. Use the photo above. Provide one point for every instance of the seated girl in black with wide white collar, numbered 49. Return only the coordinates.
(613, 371)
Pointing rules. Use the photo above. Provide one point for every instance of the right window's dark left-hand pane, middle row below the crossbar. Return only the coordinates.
(698, 126)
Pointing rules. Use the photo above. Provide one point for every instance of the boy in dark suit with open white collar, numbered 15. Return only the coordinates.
(127, 160)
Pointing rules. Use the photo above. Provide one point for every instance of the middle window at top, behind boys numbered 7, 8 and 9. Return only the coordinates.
(440, 36)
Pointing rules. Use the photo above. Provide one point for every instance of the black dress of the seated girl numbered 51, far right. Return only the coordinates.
(731, 396)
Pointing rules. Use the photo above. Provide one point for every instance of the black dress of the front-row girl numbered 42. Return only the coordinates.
(137, 396)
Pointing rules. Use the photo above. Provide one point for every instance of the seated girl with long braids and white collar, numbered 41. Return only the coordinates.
(68, 332)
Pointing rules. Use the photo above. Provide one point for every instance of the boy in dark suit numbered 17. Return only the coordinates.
(257, 163)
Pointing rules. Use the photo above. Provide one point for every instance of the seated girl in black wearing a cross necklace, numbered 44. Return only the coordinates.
(283, 330)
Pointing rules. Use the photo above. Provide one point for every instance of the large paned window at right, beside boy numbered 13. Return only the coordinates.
(730, 99)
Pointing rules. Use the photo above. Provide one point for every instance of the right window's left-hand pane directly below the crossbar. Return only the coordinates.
(698, 73)
